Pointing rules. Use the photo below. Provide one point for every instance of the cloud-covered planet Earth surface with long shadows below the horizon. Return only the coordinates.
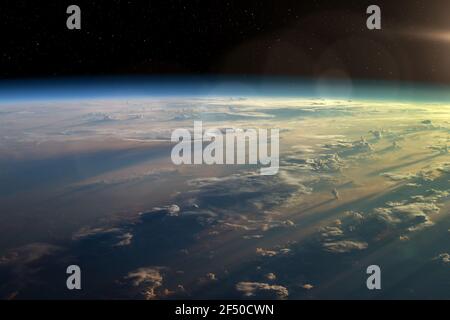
(88, 180)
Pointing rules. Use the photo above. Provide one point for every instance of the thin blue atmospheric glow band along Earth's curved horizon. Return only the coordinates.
(116, 87)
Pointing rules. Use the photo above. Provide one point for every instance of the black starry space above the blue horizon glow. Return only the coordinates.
(292, 38)
